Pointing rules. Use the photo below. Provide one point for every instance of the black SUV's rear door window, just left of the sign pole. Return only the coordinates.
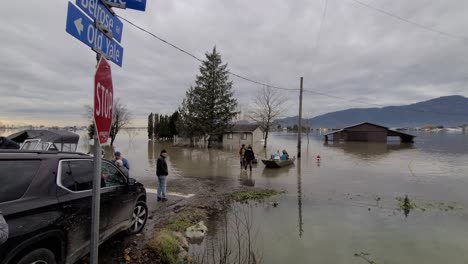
(77, 175)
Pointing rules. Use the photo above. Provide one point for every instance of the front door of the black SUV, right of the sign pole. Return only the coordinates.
(120, 196)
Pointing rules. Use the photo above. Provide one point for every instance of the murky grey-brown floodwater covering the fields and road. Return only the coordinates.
(344, 205)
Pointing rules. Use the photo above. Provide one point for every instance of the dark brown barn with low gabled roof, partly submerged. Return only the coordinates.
(367, 132)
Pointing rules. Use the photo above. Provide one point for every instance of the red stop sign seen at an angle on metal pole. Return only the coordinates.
(103, 98)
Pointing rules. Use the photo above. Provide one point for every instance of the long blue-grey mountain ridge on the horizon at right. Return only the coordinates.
(446, 111)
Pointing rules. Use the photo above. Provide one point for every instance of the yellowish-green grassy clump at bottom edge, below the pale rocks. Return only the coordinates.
(166, 245)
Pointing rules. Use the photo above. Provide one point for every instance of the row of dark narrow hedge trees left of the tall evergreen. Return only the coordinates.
(162, 127)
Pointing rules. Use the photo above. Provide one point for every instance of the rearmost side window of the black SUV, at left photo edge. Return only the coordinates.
(16, 176)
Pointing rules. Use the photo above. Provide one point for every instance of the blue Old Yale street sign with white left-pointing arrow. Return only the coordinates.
(82, 28)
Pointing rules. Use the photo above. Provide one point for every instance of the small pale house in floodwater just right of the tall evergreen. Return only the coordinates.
(243, 134)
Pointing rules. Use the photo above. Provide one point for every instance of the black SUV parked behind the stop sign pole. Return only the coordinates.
(45, 198)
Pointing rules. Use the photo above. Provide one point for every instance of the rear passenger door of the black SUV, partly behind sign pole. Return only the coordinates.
(75, 181)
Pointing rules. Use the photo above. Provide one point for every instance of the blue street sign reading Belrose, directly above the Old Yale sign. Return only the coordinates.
(96, 10)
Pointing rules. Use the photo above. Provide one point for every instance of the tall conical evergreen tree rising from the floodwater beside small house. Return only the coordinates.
(212, 103)
